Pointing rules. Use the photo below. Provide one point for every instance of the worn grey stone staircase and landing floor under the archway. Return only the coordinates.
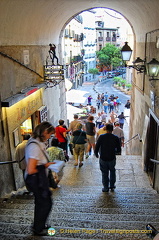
(82, 211)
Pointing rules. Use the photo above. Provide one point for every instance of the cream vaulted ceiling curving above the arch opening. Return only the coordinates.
(37, 22)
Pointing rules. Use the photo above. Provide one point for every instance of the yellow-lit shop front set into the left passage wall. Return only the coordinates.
(21, 113)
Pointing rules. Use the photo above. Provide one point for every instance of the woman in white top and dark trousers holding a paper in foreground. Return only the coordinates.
(36, 176)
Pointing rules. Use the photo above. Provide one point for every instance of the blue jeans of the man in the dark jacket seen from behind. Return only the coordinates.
(108, 173)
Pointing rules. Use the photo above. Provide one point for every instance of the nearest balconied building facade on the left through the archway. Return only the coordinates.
(72, 46)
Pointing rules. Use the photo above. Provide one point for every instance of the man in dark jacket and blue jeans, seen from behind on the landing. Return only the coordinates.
(107, 145)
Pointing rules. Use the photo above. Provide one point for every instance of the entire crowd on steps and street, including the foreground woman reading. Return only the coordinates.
(101, 134)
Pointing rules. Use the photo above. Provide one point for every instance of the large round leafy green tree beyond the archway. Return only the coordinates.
(109, 56)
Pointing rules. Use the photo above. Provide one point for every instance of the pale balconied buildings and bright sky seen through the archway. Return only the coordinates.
(87, 33)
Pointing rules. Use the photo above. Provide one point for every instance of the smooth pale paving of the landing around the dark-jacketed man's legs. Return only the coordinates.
(129, 172)
